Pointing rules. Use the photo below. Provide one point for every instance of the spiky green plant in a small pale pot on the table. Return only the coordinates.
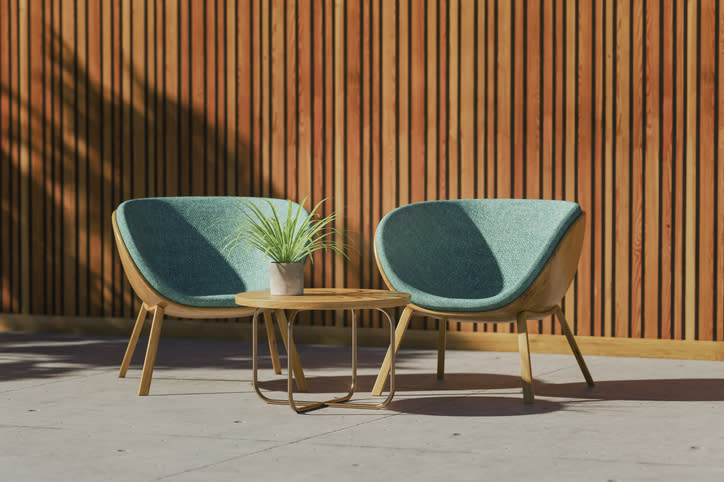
(288, 243)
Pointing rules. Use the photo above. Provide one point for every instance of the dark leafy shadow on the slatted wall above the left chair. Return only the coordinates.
(71, 152)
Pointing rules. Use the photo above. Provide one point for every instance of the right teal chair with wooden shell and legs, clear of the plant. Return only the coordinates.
(493, 260)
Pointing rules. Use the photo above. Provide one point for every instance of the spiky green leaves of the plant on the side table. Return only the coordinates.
(291, 241)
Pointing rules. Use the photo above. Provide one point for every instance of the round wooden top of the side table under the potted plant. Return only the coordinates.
(325, 299)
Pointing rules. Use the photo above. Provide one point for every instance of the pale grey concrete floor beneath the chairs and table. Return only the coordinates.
(64, 415)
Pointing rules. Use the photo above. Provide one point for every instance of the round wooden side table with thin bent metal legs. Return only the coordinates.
(324, 299)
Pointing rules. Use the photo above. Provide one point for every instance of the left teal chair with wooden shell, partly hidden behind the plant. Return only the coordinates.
(172, 251)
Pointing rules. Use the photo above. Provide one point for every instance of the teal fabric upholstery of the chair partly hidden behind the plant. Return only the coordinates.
(178, 243)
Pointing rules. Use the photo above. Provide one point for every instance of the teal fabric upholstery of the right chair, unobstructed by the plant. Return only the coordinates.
(470, 255)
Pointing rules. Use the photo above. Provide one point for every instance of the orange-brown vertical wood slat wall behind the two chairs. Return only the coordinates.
(371, 104)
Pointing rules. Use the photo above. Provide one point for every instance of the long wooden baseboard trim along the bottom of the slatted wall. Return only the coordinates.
(234, 330)
